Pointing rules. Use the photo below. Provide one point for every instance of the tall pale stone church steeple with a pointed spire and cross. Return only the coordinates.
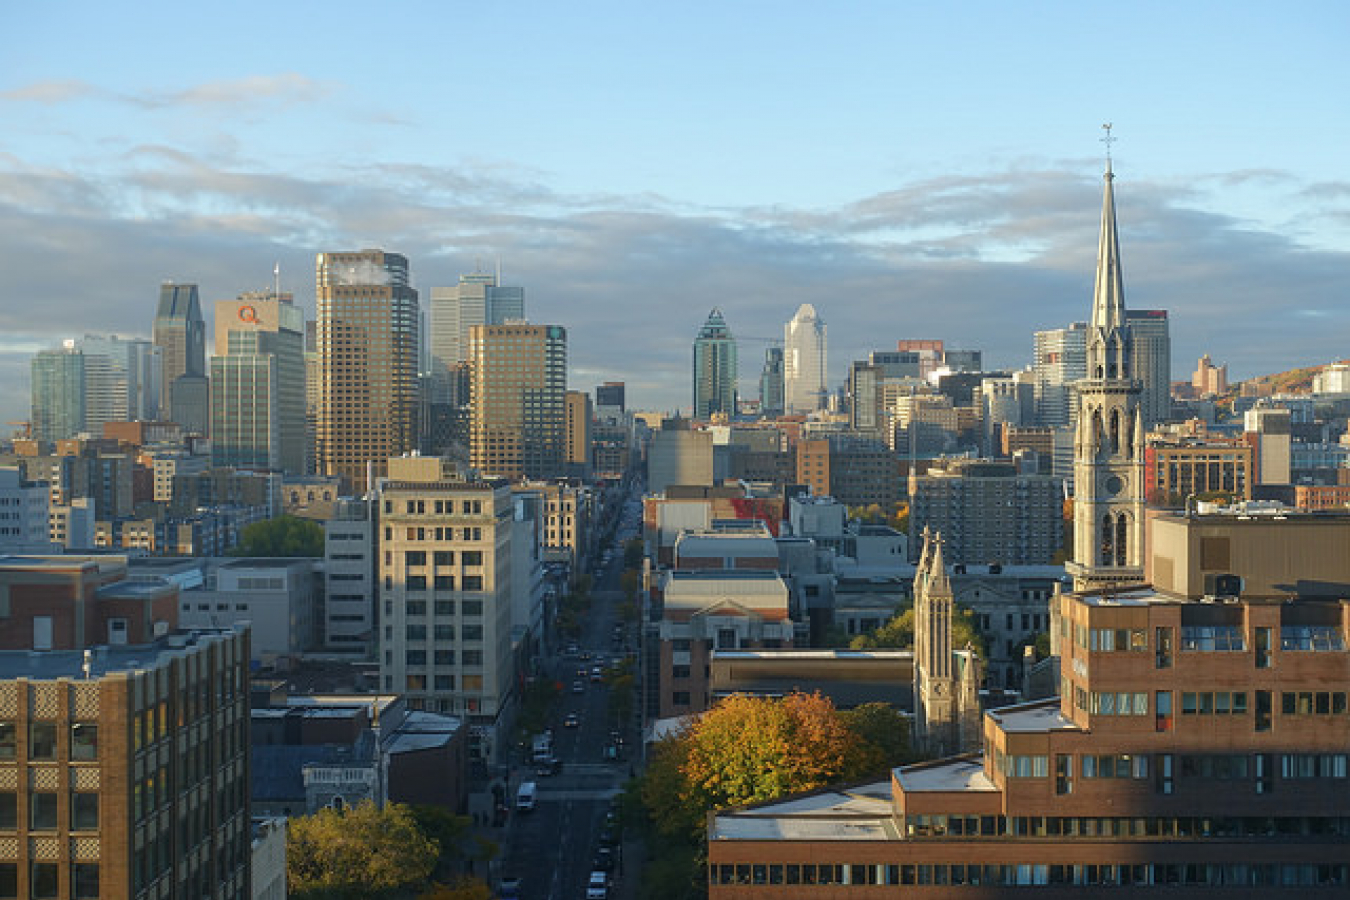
(1109, 441)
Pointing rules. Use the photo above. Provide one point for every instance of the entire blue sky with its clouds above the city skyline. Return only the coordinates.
(913, 171)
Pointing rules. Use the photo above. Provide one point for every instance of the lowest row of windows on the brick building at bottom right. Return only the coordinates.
(1201, 875)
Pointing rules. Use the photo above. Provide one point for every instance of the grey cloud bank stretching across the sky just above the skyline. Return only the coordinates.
(982, 262)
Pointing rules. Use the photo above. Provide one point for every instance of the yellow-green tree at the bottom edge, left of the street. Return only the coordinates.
(360, 852)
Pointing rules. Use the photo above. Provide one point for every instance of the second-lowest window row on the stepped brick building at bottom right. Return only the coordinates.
(998, 826)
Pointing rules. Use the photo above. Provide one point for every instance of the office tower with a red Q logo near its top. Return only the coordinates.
(259, 384)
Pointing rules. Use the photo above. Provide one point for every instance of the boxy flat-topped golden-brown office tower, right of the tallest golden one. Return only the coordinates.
(519, 401)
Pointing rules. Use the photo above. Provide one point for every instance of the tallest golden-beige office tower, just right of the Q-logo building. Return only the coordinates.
(368, 364)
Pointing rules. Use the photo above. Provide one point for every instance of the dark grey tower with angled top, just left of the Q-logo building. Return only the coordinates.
(182, 334)
